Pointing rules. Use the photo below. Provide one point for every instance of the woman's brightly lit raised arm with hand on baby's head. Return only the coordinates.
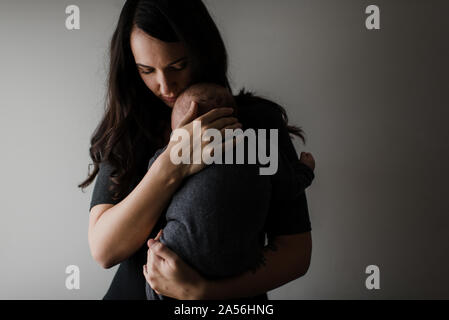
(116, 232)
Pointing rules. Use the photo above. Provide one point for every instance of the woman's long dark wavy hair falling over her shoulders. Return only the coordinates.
(135, 120)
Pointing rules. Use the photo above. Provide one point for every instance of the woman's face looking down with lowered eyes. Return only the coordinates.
(163, 66)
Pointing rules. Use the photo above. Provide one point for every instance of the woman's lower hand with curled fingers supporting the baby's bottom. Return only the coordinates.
(168, 275)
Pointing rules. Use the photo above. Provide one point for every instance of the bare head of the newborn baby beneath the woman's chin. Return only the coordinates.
(208, 96)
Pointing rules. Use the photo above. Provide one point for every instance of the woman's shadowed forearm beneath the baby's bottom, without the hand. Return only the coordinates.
(286, 260)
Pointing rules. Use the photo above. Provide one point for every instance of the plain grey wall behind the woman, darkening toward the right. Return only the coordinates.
(373, 104)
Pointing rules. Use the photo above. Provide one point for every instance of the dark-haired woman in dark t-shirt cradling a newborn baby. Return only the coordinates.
(158, 49)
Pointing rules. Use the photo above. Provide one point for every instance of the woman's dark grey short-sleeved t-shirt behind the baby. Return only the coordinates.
(288, 212)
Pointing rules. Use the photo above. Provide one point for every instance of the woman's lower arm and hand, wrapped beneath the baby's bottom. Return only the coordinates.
(287, 258)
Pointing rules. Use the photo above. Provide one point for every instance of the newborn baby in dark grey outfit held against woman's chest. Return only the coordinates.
(215, 221)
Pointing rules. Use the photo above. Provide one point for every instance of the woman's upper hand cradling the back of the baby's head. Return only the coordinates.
(219, 118)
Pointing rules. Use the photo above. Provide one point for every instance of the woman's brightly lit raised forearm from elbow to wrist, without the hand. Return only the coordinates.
(123, 228)
